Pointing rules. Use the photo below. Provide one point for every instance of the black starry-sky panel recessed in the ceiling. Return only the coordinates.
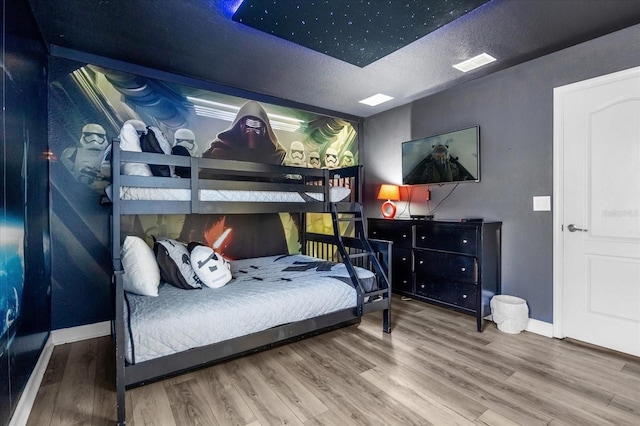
(358, 32)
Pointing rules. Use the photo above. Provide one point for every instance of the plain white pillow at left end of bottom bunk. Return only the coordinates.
(141, 272)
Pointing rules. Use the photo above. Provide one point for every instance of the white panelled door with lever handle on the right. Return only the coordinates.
(597, 211)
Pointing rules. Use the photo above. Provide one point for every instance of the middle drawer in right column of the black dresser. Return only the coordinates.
(441, 265)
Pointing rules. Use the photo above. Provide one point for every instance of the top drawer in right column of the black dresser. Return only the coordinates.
(450, 237)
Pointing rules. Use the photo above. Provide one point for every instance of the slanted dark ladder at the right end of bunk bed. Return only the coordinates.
(377, 298)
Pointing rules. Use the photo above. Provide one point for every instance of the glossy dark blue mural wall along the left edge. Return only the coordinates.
(25, 305)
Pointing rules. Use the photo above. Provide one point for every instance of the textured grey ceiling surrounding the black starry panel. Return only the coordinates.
(198, 38)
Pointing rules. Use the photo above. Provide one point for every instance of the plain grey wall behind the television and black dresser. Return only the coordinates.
(514, 109)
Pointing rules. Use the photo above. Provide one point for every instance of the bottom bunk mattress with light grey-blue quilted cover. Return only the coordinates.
(264, 292)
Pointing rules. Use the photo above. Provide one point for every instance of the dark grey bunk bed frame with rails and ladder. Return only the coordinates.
(351, 250)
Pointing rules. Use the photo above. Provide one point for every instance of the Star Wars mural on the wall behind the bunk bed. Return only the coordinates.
(90, 105)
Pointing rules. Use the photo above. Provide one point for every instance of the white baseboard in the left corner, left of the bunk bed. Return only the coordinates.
(56, 337)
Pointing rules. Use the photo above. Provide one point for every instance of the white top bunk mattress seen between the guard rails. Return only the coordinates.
(336, 194)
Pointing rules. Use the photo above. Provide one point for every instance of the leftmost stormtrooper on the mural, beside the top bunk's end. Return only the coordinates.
(84, 159)
